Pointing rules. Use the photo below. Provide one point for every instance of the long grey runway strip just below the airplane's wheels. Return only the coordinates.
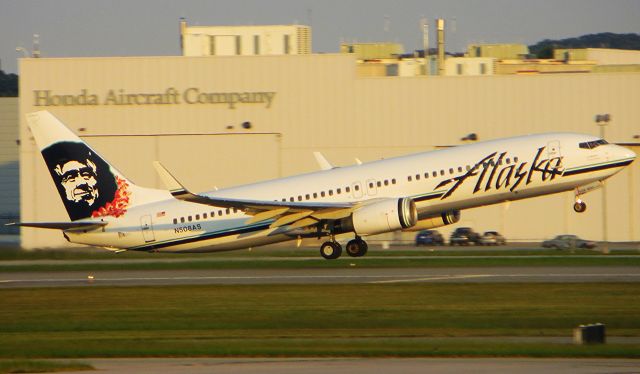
(354, 275)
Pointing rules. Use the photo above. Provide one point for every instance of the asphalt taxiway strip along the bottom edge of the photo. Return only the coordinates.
(362, 365)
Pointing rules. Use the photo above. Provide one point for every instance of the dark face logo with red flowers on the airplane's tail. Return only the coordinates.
(85, 181)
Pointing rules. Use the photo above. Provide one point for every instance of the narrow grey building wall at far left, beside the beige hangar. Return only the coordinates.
(9, 181)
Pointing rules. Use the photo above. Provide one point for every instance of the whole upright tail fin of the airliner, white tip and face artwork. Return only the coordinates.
(87, 184)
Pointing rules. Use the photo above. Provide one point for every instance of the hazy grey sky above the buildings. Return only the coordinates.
(79, 28)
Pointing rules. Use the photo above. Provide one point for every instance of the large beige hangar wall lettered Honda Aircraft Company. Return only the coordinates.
(317, 103)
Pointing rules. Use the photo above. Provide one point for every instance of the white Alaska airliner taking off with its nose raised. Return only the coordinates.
(413, 192)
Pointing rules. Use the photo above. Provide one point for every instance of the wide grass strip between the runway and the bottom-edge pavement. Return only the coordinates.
(317, 320)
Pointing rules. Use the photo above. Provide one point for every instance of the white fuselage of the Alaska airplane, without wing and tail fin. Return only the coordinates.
(438, 181)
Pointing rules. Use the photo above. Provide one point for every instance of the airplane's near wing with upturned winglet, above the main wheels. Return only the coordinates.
(299, 214)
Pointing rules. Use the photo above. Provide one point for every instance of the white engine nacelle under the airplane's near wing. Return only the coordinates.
(380, 217)
